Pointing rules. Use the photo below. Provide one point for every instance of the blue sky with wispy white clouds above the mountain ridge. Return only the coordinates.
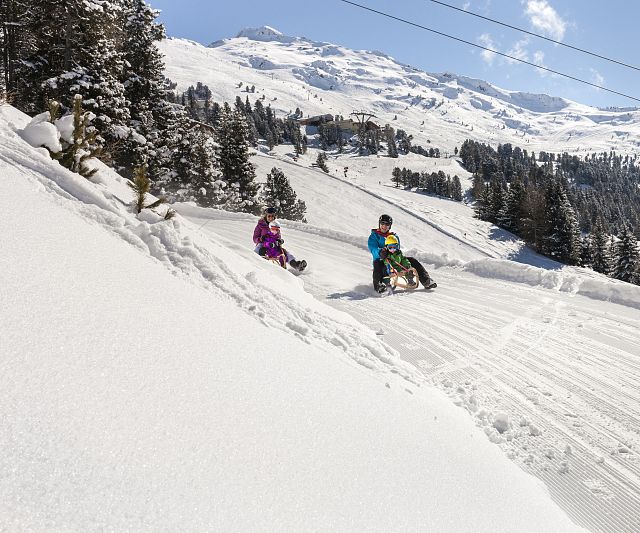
(607, 28)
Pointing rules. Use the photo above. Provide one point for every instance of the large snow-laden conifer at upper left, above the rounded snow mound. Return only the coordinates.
(76, 51)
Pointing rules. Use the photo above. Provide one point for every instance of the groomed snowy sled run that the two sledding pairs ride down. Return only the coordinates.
(549, 375)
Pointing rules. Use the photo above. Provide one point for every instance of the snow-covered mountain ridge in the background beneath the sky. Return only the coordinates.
(444, 109)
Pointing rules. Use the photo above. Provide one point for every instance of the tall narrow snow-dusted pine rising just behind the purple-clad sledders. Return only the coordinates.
(232, 137)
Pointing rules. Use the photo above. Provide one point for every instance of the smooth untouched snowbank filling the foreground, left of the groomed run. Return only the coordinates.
(156, 378)
